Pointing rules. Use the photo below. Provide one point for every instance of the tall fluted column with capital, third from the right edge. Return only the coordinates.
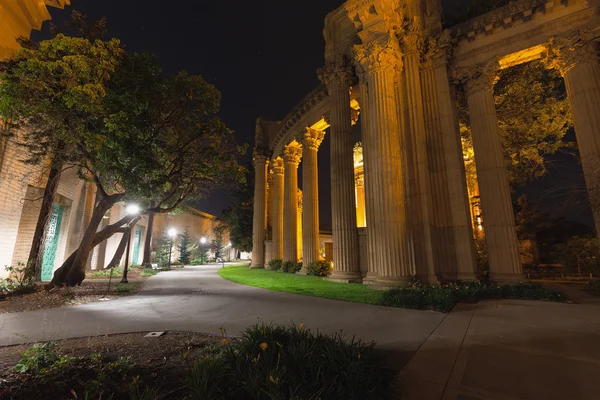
(454, 236)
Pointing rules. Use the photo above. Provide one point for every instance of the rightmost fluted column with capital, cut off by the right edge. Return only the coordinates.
(576, 57)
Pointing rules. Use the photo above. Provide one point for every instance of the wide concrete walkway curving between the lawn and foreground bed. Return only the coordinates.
(500, 349)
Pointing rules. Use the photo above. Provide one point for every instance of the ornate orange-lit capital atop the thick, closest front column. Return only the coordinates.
(379, 54)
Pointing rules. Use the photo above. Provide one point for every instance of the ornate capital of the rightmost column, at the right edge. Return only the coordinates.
(565, 52)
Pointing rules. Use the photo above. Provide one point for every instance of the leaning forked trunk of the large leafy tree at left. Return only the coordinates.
(72, 272)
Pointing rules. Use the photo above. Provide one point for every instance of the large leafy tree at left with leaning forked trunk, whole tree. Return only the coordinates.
(138, 135)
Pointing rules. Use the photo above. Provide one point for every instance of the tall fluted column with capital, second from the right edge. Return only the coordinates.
(499, 220)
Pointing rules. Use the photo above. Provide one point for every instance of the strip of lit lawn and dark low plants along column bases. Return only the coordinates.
(417, 297)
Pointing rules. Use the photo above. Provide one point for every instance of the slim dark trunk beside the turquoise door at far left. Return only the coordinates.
(36, 254)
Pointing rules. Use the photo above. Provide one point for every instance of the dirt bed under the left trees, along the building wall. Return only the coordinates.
(88, 292)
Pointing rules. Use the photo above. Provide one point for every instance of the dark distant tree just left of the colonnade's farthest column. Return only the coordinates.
(238, 217)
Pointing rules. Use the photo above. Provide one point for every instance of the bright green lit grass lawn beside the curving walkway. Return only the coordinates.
(299, 284)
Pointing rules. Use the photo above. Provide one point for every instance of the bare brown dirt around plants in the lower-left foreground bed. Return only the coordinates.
(161, 362)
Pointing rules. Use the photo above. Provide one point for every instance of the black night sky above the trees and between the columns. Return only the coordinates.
(262, 55)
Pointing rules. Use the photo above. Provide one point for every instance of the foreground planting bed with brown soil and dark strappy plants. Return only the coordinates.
(267, 362)
